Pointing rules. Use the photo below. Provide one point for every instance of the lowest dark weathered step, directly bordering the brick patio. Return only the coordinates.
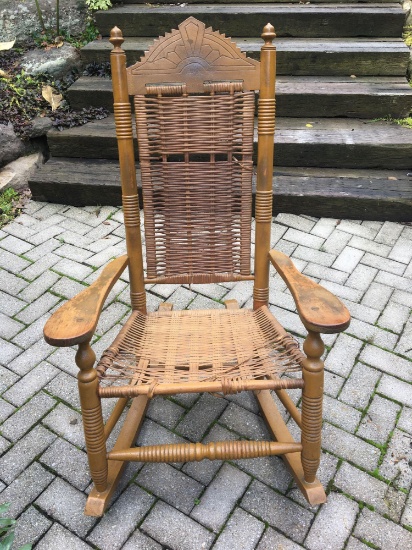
(354, 194)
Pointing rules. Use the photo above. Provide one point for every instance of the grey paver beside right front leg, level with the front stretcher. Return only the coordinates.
(349, 447)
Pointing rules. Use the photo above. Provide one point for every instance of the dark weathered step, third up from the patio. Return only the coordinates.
(362, 97)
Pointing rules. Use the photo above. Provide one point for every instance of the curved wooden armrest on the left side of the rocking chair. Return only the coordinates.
(75, 322)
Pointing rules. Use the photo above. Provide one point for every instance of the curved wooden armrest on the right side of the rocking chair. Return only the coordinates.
(319, 309)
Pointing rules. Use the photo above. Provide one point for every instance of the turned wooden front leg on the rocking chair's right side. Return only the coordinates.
(312, 405)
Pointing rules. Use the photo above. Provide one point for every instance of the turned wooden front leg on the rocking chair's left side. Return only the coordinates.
(92, 416)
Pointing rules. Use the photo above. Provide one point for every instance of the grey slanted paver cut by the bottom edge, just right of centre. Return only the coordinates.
(242, 532)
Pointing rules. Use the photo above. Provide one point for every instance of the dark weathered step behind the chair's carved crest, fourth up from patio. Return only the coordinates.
(296, 56)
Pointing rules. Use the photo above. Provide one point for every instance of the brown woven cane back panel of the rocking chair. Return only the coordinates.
(196, 166)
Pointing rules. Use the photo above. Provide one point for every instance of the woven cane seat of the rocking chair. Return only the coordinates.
(198, 346)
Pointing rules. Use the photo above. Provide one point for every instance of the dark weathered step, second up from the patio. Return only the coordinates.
(327, 142)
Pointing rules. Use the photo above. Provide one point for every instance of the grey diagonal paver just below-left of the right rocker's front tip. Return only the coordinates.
(277, 510)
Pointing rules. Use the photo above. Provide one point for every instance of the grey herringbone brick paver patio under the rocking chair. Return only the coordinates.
(52, 251)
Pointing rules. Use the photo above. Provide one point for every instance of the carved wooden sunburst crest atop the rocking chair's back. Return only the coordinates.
(193, 54)
